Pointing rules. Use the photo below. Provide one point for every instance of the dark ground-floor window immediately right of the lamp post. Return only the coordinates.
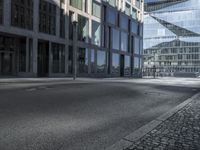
(83, 60)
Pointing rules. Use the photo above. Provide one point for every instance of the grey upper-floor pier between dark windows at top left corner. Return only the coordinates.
(7, 13)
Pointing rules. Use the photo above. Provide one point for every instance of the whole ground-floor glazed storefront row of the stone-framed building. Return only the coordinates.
(29, 57)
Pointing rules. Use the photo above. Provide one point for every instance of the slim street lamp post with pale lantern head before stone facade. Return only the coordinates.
(74, 23)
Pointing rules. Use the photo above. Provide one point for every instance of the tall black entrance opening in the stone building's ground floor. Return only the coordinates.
(43, 59)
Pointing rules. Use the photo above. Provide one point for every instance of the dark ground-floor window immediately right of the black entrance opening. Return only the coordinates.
(58, 53)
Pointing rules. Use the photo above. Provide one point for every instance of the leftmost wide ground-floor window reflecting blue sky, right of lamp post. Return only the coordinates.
(101, 61)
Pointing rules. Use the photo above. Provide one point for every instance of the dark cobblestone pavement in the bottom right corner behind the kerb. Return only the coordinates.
(179, 132)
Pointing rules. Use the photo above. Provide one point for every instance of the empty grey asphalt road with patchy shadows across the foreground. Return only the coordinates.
(81, 116)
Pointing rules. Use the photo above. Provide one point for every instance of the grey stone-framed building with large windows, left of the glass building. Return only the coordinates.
(37, 37)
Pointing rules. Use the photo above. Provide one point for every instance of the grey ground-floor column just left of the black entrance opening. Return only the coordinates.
(35, 55)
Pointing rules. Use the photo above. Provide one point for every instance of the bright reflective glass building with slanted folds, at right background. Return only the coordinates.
(172, 37)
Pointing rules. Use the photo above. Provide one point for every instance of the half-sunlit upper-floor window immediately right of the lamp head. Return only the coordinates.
(83, 28)
